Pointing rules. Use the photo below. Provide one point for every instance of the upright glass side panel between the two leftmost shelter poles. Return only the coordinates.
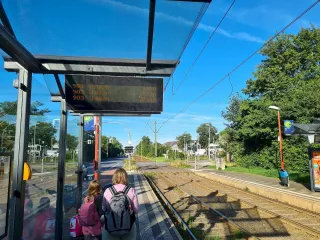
(43, 153)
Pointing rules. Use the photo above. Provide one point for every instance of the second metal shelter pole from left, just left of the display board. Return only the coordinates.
(61, 169)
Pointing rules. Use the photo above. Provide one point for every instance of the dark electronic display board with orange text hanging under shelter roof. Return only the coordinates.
(114, 94)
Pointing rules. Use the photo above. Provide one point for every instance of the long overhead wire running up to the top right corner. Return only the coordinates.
(243, 62)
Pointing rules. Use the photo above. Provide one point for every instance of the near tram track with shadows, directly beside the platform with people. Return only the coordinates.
(198, 219)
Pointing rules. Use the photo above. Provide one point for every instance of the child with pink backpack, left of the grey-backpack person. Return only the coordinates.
(91, 212)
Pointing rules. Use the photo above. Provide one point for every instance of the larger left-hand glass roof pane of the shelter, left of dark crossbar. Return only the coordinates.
(113, 29)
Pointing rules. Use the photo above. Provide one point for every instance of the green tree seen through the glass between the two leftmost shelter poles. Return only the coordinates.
(44, 131)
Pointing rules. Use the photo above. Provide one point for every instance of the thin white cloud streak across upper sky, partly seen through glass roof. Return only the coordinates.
(243, 36)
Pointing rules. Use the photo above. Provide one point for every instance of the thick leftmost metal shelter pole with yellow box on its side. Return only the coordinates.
(20, 155)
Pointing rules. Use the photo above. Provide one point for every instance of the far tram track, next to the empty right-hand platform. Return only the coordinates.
(273, 220)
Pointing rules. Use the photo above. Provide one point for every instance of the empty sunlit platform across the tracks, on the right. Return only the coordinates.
(297, 194)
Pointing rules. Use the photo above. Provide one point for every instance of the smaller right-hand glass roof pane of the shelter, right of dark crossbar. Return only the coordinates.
(174, 25)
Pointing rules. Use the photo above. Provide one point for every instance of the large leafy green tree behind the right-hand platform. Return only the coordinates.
(288, 77)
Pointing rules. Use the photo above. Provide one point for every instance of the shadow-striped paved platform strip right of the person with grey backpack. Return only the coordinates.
(152, 221)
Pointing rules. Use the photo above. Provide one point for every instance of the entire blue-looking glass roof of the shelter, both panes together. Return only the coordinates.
(104, 28)
